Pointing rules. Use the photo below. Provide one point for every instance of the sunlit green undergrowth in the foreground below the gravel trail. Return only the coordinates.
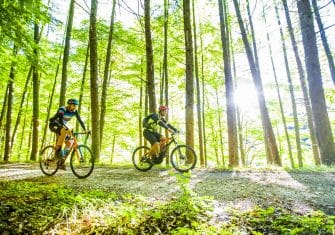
(47, 208)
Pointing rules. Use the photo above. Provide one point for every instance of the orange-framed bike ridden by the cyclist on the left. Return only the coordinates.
(81, 160)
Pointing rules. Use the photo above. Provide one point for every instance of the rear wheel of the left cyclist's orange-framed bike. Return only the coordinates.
(48, 161)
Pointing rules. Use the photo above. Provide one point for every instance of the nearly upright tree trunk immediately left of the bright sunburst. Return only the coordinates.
(231, 109)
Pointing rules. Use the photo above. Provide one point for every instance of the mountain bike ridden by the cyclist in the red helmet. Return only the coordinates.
(182, 157)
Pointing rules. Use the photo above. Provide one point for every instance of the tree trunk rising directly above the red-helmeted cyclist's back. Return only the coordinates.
(150, 59)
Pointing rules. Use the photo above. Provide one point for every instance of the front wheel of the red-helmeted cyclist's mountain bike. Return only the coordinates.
(183, 158)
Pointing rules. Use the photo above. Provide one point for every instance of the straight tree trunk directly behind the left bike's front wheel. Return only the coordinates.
(94, 82)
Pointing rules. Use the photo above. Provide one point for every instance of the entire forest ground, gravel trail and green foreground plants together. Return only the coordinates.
(113, 199)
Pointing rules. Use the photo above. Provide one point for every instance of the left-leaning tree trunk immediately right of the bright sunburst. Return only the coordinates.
(270, 141)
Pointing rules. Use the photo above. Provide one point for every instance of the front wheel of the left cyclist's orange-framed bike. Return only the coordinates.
(82, 162)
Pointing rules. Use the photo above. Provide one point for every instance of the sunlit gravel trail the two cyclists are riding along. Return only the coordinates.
(298, 192)
